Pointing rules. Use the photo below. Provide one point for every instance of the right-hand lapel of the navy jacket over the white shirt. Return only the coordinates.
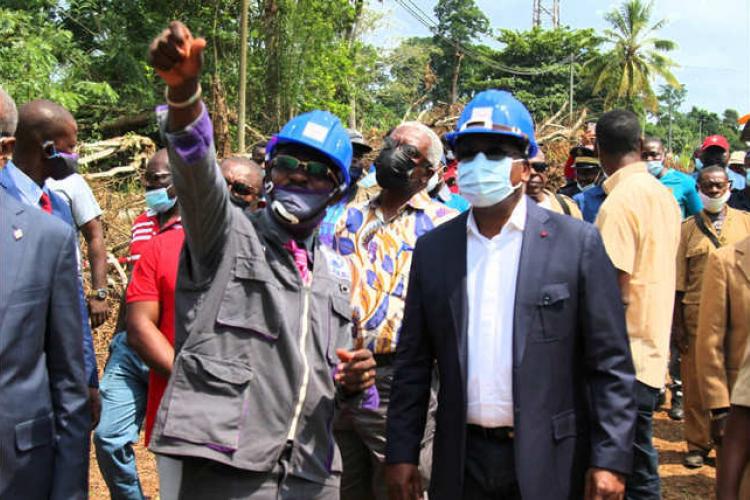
(535, 254)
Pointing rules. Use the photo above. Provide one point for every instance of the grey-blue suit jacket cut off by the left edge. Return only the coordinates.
(44, 420)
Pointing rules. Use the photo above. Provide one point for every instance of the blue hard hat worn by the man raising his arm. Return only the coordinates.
(321, 131)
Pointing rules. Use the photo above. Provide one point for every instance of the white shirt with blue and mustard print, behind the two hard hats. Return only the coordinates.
(379, 254)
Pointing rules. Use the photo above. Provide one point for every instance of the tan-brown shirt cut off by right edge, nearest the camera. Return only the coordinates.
(723, 322)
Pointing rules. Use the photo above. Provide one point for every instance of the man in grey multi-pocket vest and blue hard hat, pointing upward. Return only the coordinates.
(262, 314)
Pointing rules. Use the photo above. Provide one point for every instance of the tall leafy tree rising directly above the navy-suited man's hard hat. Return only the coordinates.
(460, 22)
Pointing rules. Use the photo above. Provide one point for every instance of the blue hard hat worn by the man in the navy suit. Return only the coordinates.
(496, 112)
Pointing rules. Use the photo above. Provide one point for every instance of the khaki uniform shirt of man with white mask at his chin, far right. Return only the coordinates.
(695, 247)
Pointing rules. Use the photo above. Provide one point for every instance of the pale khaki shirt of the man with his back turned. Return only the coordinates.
(640, 225)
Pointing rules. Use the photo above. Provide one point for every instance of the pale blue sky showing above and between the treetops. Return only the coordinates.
(713, 38)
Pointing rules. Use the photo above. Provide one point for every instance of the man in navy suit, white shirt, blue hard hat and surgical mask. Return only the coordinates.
(536, 379)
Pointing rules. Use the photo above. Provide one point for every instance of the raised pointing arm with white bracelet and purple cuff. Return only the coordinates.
(204, 201)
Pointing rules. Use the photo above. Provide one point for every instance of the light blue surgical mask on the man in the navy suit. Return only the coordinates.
(485, 182)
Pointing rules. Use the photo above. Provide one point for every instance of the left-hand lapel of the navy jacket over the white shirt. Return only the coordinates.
(455, 253)
